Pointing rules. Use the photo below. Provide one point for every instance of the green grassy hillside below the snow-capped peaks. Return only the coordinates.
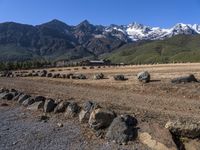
(180, 48)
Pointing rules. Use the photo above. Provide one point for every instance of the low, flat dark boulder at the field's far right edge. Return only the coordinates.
(185, 79)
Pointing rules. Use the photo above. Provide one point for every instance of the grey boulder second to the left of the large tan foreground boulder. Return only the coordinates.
(72, 110)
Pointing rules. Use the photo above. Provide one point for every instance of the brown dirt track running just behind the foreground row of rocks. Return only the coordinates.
(150, 106)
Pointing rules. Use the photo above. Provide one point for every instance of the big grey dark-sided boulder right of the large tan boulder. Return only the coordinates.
(122, 129)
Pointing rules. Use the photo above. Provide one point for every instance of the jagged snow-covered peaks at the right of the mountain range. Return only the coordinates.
(136, 31)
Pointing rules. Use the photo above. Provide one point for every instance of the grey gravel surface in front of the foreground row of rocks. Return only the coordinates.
(22, 130)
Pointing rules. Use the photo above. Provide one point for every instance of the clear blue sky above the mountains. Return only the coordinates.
(163, 13)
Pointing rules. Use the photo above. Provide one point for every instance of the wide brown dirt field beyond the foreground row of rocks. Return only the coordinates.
(157, 101)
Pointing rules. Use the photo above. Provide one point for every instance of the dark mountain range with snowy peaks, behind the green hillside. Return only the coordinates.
(55, 40)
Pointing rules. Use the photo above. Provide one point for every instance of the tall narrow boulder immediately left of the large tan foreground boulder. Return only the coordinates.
(88, 106)
